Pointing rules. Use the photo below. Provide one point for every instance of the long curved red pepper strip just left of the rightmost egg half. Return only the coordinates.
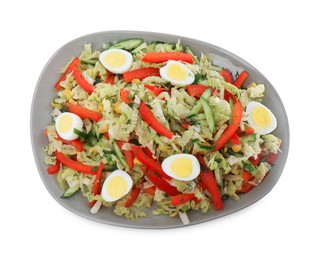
(232, 128)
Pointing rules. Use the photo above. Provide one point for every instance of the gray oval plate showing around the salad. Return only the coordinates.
(40, 118)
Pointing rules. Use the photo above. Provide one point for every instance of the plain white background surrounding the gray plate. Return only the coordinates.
(281, 40)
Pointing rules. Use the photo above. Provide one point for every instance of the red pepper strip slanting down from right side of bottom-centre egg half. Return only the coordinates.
(207, 177)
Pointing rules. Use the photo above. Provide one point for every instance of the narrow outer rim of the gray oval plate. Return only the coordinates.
(163, 35)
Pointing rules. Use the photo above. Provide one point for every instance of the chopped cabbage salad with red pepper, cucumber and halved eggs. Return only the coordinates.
(137, 125)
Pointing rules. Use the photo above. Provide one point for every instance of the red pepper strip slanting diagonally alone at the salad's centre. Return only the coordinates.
(147, 116)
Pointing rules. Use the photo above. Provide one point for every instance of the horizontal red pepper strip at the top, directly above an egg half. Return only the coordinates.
(158, 57)
